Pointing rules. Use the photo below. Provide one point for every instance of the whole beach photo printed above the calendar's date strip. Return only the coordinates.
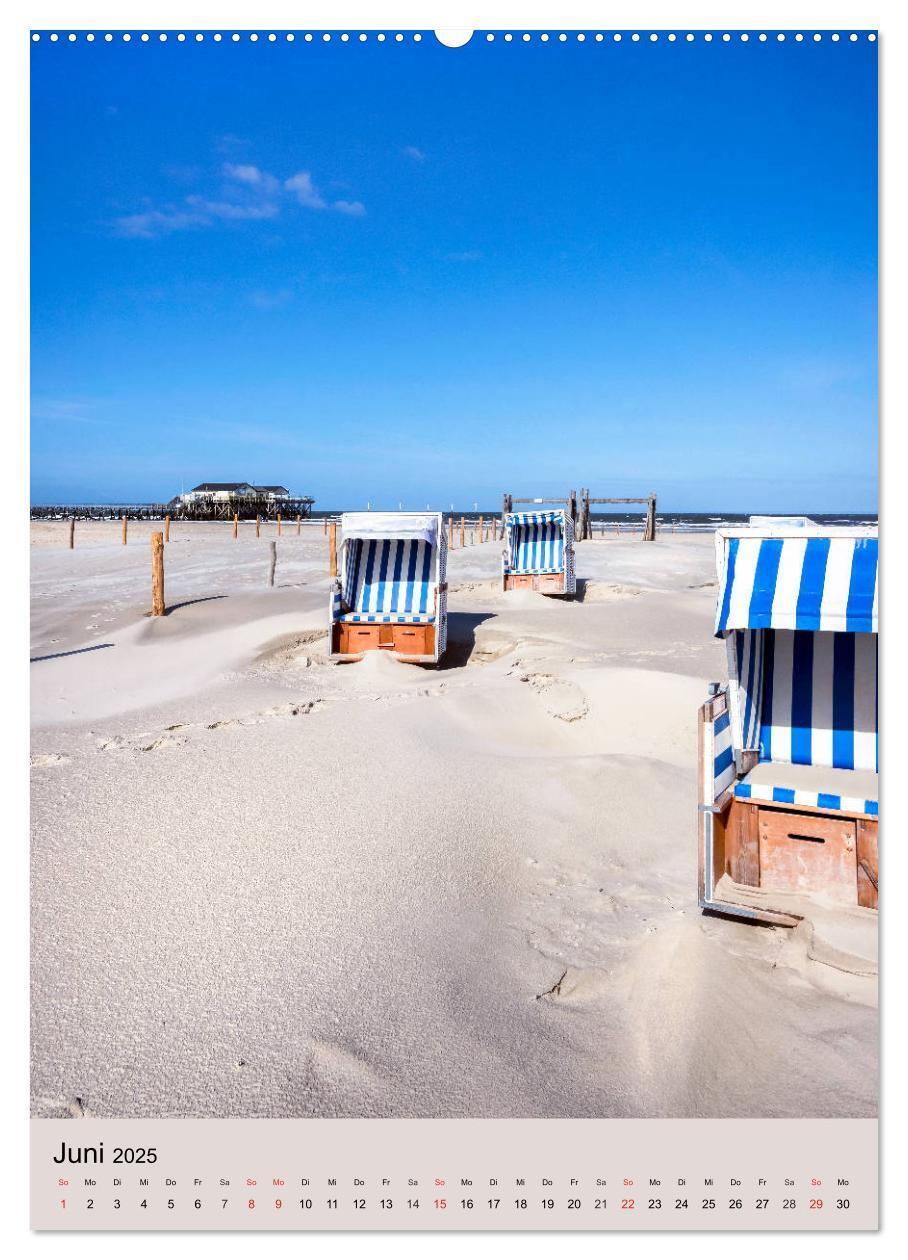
(454, 576)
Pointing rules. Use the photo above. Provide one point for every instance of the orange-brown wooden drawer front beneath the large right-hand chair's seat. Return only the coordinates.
(809, 854)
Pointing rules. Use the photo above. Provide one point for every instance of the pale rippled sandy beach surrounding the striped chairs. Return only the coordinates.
(265, 885)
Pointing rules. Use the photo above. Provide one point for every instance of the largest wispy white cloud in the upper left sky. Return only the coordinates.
(249, 193)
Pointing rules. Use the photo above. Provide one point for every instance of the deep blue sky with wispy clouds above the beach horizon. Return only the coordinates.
(401, 273)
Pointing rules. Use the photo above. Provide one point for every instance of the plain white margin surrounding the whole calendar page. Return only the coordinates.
(888, 17)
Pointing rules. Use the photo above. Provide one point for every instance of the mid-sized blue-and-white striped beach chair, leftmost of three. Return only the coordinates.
(392, 590)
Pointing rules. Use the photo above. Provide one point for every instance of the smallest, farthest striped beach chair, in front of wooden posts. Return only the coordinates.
(540, 553)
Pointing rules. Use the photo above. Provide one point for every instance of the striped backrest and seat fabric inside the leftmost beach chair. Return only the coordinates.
(391, 580)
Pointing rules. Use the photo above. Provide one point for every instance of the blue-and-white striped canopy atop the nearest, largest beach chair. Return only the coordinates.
(817, 583)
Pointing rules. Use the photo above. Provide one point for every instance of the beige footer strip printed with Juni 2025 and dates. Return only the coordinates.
(454, 1175)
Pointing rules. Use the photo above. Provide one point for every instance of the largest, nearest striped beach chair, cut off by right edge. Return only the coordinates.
(790, 747)
